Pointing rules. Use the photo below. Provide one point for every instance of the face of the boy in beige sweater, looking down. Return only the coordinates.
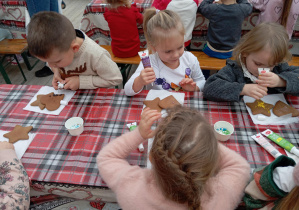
(59, 59)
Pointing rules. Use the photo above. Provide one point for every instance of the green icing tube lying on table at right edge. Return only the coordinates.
(281, 141)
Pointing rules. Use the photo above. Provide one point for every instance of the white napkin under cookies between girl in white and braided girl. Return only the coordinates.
(152, 94)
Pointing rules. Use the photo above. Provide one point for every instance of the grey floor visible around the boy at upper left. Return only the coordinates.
(74, 11)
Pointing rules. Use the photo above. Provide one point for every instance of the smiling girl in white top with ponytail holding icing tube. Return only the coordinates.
(172, 68)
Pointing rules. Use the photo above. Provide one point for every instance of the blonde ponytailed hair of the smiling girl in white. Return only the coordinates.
(159, 25)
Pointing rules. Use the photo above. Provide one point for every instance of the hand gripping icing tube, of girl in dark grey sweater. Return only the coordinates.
(270, 79)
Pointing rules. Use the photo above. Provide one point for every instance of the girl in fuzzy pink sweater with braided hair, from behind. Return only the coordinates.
(190, 169)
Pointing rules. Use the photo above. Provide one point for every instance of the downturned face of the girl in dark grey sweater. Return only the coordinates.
(260, 59)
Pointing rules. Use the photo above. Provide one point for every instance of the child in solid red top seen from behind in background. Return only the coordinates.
(122, 18)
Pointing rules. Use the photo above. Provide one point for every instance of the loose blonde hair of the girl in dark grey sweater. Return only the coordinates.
(264, 35)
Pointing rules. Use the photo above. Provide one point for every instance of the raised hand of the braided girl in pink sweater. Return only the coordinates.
(148, 117)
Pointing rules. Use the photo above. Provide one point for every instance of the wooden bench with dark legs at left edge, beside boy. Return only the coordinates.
(12, 47)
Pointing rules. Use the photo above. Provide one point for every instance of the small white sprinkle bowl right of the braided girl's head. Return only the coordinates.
(223, 125)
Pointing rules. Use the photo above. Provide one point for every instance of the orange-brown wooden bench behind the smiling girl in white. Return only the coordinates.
(206, 62)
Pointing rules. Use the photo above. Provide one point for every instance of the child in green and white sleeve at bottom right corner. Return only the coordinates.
(275, 186)
